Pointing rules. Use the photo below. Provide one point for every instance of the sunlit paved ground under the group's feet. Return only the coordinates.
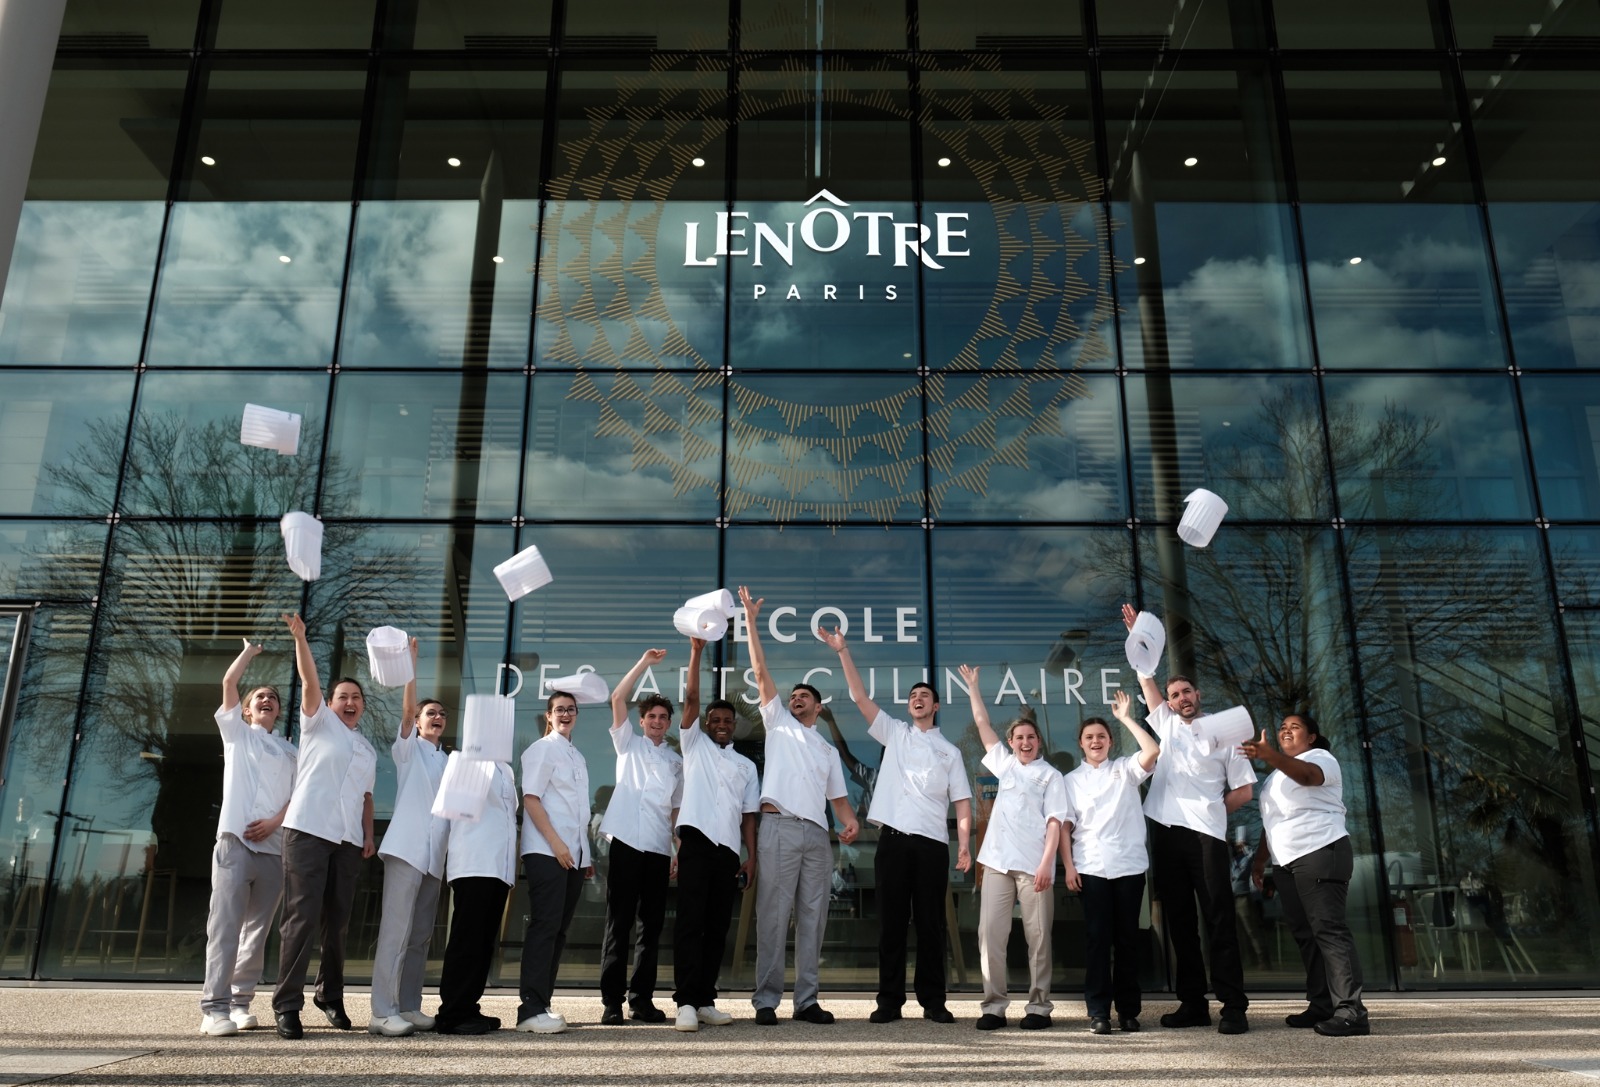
(151, 1037)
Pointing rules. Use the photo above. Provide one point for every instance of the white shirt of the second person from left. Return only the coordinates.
(337, 772)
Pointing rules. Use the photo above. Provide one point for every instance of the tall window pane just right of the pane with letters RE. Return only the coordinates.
(1209, 268)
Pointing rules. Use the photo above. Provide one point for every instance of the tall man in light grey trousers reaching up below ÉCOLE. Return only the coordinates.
(804, 777)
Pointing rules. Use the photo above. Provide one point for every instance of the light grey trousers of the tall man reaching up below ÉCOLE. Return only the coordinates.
(796, 876)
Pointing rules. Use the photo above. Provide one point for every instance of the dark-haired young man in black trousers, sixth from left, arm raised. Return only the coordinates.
(639, 828)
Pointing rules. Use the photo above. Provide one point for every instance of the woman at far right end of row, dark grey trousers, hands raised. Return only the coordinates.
(1303, 832)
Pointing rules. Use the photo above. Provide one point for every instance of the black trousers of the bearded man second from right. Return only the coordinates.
(1188, 867)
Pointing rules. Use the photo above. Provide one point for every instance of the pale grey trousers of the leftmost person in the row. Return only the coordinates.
(246, 891)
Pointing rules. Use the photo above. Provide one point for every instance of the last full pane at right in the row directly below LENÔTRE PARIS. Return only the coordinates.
(1428, 449)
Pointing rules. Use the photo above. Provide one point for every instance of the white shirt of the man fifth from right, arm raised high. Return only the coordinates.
(921, 777)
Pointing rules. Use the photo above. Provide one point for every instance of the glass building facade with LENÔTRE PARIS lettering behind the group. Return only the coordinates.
(921, 318)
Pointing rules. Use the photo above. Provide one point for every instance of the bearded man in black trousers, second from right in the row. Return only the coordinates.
(1193, 793)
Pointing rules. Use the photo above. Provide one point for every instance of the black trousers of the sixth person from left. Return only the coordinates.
(636, 888)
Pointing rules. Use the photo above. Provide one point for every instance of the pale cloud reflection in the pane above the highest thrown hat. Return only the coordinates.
(225, 295)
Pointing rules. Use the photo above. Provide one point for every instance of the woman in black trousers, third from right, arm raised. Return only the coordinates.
(1103, 859)
